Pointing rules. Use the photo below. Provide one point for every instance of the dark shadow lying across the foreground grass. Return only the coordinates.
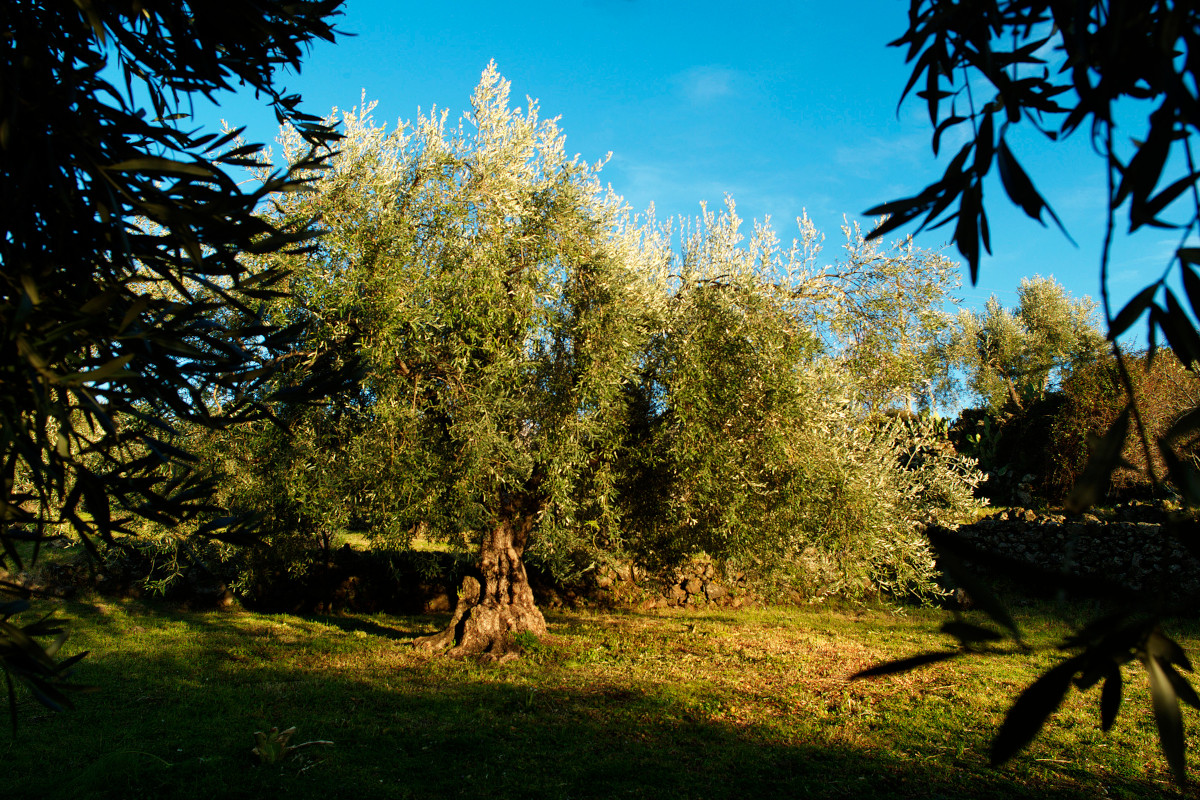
(179, 724)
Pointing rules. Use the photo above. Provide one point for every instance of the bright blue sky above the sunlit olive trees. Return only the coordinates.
(787, 107)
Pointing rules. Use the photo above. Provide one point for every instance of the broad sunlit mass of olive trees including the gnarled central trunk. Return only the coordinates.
(544, 376)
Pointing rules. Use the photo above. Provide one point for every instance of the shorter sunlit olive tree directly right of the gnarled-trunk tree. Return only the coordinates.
(749, 441)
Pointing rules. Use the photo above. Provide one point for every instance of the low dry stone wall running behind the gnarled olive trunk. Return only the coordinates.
(1130, 548)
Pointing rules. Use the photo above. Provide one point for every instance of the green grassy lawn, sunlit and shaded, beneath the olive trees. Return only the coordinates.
(669, 705)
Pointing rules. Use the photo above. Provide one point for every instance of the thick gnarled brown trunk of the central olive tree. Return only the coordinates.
(499, 603)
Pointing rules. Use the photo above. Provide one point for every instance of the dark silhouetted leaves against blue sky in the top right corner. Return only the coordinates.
(1126, 51)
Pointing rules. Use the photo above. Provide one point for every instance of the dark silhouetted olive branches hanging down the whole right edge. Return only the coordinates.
(986, 68)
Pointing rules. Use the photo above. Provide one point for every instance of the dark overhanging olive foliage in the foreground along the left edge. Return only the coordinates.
(127, 308)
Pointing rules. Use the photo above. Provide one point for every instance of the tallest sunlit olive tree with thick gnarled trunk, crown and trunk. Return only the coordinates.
(494, 294)
